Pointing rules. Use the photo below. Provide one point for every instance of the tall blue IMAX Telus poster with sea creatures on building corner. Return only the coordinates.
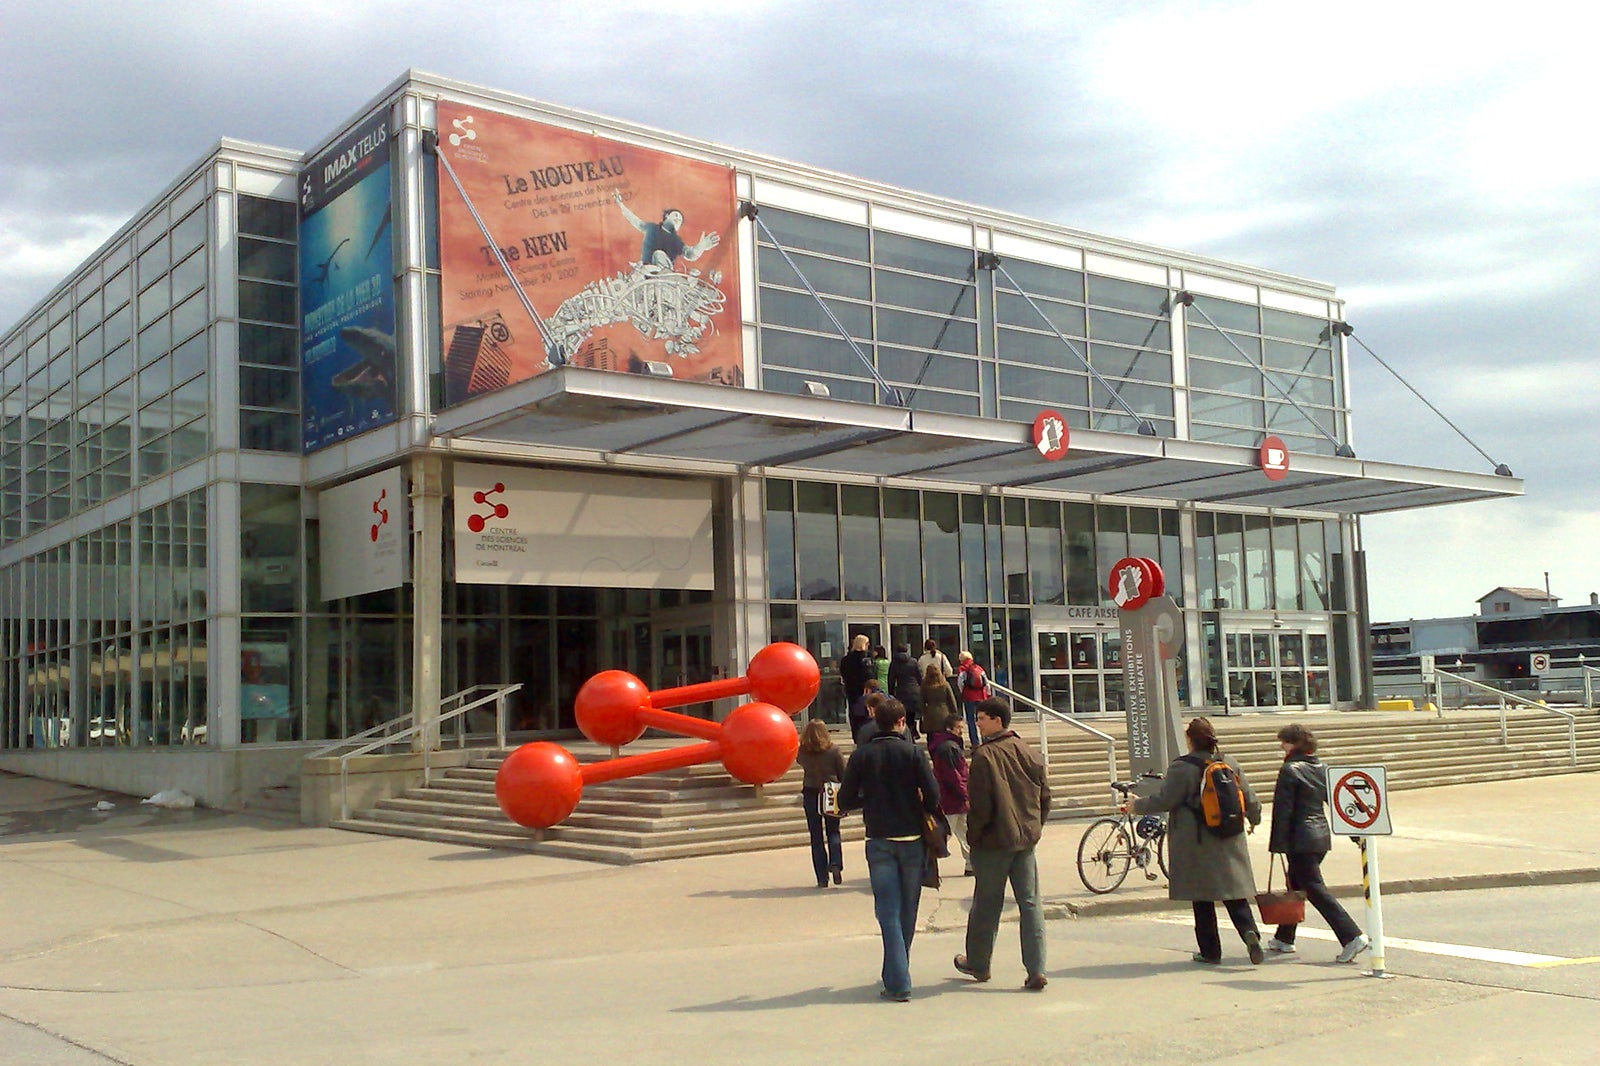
(350, 374)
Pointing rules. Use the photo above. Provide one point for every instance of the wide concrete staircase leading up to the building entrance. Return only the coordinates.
(702, 811)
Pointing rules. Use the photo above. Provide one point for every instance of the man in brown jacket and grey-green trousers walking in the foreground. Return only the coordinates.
(1007, 799)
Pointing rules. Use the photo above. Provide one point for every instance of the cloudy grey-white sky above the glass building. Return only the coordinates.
(1439, 169)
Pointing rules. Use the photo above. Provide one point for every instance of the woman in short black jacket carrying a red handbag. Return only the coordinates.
(1302, 835)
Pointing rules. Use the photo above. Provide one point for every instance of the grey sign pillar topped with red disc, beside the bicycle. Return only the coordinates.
(1153, 633)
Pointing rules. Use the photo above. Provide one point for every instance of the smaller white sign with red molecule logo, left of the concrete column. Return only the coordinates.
(364, 535)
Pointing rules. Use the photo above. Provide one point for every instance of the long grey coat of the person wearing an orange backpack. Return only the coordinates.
(1202, 867)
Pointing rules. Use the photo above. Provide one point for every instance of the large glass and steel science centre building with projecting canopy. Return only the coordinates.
(489, 393)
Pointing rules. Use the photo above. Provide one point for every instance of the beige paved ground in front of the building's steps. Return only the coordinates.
(202, 937)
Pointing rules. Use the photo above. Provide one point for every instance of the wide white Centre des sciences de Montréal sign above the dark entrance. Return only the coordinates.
(582, 529)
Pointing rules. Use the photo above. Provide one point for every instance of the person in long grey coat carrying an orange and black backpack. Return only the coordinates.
(1207, 868)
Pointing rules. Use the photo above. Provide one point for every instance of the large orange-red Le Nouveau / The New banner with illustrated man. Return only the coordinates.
(628, 255)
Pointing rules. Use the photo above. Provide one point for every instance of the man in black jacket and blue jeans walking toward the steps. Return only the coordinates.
(892, 782)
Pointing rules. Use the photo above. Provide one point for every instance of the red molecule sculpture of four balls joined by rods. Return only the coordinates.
(540, 785)
